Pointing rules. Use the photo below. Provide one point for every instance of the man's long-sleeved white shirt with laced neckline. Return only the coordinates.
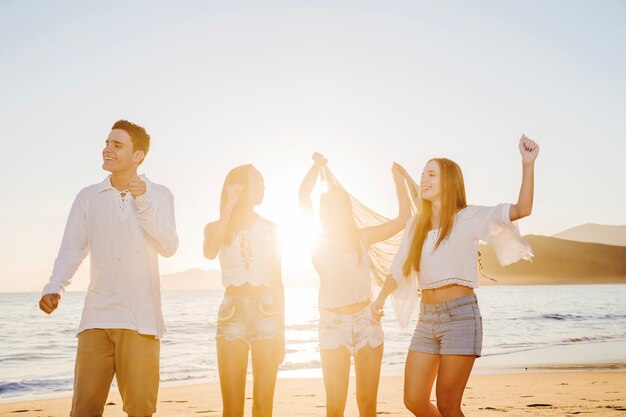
(122, 236)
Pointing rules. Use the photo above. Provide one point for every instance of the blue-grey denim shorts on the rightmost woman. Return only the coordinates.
(451, 328)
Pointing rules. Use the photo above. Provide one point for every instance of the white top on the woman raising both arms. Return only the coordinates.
(343, 281)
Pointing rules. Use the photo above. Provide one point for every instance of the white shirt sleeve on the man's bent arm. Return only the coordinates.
(155, 209)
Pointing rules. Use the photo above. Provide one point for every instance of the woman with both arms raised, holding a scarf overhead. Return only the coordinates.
(348, 324)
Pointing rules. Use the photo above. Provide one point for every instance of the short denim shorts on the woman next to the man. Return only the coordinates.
(249, 318)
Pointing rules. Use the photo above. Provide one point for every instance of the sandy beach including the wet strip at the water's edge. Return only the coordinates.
(587, 378)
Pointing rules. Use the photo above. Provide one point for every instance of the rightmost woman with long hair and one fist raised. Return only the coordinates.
(439, 250)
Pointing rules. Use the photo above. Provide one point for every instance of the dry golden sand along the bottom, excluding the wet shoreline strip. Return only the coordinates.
(533, 394)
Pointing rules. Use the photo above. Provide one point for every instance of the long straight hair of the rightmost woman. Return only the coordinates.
(452, 200)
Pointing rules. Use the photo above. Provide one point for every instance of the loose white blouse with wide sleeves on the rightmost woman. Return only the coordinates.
(455, 260)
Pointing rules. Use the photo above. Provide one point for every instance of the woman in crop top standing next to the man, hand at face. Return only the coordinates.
(250, 319)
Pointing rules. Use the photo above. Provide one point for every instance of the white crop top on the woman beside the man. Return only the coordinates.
(250, 257)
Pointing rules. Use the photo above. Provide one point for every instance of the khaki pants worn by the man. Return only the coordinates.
(133, 359)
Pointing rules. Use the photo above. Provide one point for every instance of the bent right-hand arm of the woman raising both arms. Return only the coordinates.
(373, 234)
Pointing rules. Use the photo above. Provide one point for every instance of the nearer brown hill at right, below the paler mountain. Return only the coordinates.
(559, 261)
